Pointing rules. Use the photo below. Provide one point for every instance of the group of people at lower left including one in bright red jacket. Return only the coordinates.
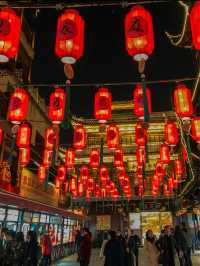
(17, 251)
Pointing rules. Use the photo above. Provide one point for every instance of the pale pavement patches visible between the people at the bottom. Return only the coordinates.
(95, 261)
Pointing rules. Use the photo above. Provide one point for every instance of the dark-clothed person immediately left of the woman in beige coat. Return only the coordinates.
(134, 243)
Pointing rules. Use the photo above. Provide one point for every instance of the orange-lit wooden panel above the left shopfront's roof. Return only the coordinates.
(32, 189)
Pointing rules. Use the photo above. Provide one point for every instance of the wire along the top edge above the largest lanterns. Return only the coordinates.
(60, 6)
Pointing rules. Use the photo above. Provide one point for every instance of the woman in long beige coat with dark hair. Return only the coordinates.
(152, 252)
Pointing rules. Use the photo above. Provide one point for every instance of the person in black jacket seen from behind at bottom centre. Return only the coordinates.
(113, 251)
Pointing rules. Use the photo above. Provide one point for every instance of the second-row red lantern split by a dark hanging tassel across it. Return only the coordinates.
(138, 101)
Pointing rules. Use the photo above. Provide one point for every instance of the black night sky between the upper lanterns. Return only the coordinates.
(105, 58)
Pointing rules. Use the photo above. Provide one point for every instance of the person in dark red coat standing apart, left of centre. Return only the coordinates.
(85, 248)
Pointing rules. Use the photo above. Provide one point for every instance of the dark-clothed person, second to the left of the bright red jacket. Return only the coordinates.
(19, 249)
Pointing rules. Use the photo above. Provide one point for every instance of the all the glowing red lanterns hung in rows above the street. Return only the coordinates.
(69, 47)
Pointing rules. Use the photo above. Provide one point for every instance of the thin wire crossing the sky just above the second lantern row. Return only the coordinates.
(124, 83)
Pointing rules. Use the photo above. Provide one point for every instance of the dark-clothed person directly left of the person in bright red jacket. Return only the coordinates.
(31, 257)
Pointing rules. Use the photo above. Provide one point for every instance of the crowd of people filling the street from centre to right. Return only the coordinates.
(119, 249)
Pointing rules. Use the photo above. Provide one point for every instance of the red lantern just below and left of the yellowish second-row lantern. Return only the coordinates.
(171, 134)
